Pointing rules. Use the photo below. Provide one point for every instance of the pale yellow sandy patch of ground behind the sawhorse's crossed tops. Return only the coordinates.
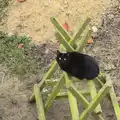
(32, 17)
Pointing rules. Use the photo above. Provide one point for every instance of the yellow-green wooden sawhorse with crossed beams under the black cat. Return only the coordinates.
(77, 43)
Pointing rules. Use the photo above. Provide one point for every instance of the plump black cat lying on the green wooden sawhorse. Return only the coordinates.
(79, 65)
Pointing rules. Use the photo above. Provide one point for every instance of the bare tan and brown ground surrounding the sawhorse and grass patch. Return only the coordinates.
(31, 18)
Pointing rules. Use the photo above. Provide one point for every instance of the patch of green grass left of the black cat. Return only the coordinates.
(20, 61)
